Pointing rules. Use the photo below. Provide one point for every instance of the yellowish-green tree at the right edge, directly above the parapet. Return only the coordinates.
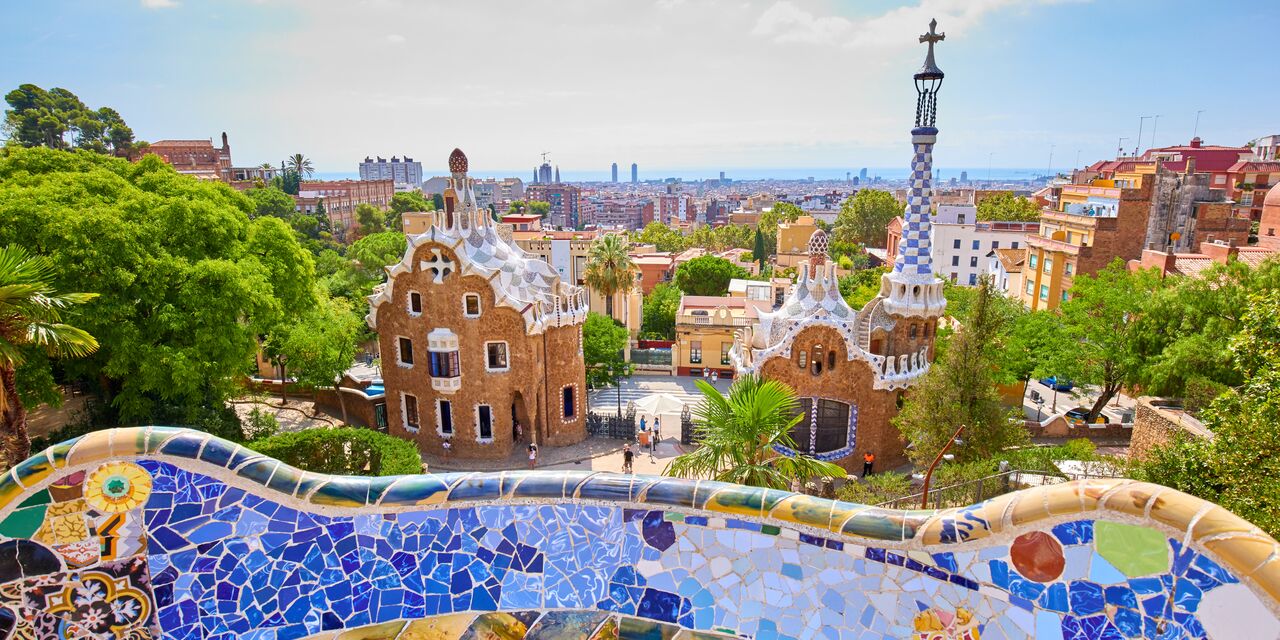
(1238, 468)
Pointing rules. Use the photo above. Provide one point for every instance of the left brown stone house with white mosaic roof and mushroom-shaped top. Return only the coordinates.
(478, 336)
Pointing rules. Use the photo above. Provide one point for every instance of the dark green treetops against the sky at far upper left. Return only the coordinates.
(45, 118)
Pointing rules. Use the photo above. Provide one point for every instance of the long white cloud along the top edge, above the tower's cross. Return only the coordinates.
(788, 22)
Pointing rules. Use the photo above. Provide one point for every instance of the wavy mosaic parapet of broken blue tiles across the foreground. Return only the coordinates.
(159, 532)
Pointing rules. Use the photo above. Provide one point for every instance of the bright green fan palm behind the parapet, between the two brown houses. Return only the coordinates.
(737, 436)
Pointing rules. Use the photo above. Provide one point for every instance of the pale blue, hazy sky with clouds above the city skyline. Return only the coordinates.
(670, 85)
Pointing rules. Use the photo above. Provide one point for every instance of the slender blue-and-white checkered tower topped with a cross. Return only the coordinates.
(911, 289)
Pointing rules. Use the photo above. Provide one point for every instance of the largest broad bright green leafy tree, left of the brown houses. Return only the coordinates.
(188, 281)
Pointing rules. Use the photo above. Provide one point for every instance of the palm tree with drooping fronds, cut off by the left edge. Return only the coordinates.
(31, 317)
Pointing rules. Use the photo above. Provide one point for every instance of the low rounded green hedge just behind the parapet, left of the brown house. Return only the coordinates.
(346, 451)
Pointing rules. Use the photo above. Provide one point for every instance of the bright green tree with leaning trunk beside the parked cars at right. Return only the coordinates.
(1103, 331)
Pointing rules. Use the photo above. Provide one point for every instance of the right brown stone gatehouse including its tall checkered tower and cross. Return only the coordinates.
(851, 368)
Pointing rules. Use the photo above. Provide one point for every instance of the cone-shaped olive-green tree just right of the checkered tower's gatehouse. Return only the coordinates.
(959, 391)
